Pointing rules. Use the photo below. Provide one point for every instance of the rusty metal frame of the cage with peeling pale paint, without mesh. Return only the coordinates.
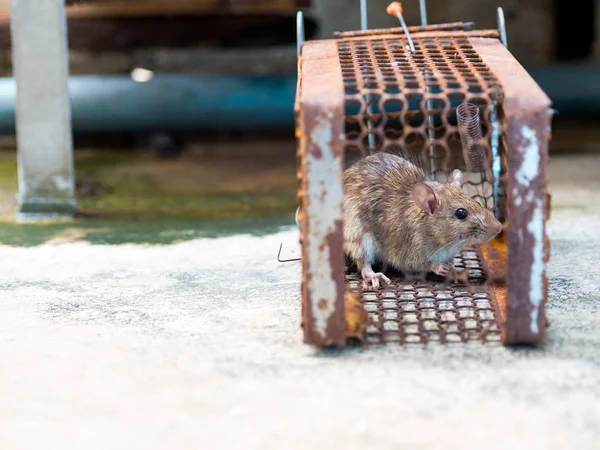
(526, 131)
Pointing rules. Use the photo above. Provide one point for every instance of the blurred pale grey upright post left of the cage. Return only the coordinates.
(43, 117)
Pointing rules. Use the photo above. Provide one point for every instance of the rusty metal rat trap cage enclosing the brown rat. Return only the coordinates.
(458, 99)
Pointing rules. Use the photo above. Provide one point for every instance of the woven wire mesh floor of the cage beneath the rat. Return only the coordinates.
(424, 311)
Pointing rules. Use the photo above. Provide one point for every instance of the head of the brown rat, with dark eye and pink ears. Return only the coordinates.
(452, 216)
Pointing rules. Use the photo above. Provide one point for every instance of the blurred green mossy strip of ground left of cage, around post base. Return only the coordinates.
(125, 197)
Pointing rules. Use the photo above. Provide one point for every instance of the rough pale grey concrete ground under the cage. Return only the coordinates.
(198, 345)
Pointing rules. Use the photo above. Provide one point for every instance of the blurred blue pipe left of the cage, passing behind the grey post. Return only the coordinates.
(169, 102)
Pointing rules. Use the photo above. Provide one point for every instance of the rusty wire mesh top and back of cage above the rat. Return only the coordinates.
(397, 101)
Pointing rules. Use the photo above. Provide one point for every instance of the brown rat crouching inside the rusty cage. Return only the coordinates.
(395, 215)
